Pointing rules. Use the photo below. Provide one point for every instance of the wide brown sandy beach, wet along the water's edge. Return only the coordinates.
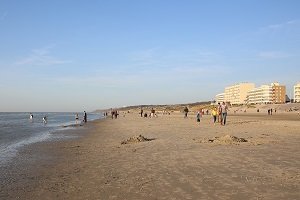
(164, 158)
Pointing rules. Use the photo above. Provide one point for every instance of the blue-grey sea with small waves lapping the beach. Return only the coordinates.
(17, 130)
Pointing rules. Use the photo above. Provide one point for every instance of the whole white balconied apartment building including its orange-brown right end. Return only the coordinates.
(266, 94)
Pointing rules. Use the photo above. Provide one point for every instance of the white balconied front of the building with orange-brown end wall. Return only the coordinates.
(260, 95)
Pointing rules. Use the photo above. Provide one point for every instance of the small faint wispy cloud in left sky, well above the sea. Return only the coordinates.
(41, 57)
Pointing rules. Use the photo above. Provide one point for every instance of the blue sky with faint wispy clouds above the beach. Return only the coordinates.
(65, 55)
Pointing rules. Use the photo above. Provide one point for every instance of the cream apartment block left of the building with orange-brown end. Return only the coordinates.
(237, 94)
